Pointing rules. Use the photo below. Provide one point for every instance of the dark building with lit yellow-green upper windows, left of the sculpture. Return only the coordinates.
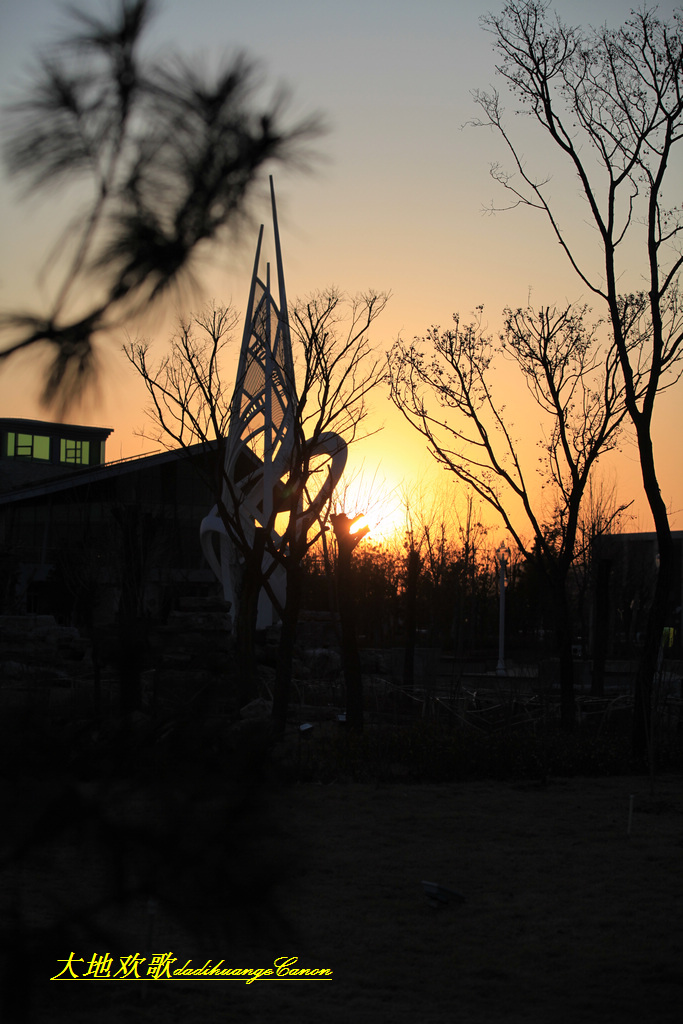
(77, 533)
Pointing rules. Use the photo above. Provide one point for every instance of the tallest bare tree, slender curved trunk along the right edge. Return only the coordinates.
(612, 103)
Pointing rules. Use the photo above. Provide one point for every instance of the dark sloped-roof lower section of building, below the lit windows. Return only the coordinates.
(67, 547)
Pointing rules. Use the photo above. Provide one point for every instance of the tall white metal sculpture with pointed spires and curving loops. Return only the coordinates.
(263, 449)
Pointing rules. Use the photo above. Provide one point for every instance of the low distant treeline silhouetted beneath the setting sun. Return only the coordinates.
(449, 573)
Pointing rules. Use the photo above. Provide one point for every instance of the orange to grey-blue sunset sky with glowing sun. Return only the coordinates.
(395, 201)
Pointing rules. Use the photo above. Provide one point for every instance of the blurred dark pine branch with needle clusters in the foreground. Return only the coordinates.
(168, 157)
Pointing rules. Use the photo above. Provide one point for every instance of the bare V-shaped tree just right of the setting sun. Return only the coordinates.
(443, 386)
